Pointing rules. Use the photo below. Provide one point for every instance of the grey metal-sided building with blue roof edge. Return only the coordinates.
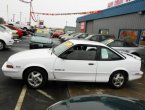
(125, 21)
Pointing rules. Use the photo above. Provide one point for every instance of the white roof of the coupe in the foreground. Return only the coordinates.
(87, 42)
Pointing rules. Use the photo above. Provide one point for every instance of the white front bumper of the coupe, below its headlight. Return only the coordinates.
(11, 72)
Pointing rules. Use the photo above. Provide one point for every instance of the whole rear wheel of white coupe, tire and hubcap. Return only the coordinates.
(118, 80)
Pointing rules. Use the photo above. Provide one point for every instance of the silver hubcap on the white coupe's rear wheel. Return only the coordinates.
(118, 80)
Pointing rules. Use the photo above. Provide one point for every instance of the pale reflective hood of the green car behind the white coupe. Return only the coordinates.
(38, 39)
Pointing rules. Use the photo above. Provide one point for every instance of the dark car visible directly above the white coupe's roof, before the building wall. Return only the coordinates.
(99, 37)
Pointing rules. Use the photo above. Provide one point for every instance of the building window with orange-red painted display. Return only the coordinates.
(129, 35)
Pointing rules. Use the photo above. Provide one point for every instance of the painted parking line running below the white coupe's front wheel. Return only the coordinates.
(21, 98)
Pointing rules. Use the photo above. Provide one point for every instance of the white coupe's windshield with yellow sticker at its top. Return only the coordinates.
(62, 47)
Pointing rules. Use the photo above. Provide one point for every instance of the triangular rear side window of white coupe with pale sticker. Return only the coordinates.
(107, 54)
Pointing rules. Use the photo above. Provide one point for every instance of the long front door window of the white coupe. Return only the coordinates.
(80, 52)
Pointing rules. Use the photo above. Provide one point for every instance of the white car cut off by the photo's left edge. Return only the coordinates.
(6, 39)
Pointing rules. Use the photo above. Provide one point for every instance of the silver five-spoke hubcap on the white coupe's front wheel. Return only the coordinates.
(35, 78)
